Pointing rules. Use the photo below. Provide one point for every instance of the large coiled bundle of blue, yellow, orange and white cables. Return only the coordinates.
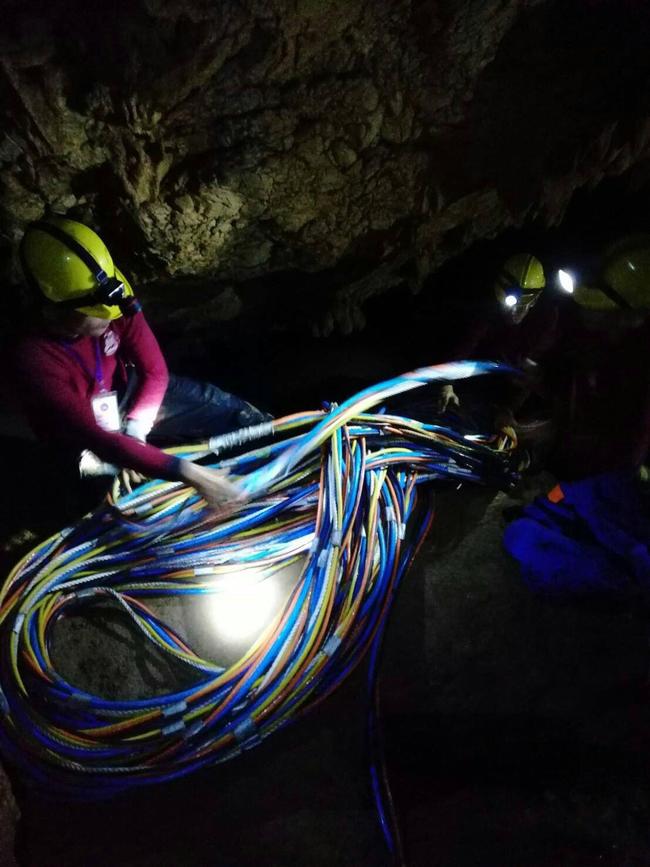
(345, 493)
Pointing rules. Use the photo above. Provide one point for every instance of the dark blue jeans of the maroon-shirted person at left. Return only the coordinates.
(192, 411)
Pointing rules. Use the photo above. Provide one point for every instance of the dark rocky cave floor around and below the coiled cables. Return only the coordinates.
(516, 734)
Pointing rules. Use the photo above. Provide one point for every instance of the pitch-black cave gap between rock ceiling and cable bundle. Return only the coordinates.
(273, 358)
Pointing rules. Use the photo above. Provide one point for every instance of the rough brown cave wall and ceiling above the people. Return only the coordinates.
(215, 144)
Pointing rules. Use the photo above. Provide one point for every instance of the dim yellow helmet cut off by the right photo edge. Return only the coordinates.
(624, 279)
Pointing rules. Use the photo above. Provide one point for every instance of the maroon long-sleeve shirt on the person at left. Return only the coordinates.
(53, 381)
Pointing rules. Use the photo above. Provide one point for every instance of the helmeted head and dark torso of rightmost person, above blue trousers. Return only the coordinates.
(600, 372)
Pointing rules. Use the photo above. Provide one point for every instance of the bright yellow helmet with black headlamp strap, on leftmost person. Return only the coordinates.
(69, 264)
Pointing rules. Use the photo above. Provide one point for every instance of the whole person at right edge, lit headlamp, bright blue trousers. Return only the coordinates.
(591, 533)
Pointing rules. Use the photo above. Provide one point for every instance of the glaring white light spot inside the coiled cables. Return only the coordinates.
(243, 607)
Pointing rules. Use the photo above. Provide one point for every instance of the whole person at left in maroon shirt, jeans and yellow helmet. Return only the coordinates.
(68, 370)
